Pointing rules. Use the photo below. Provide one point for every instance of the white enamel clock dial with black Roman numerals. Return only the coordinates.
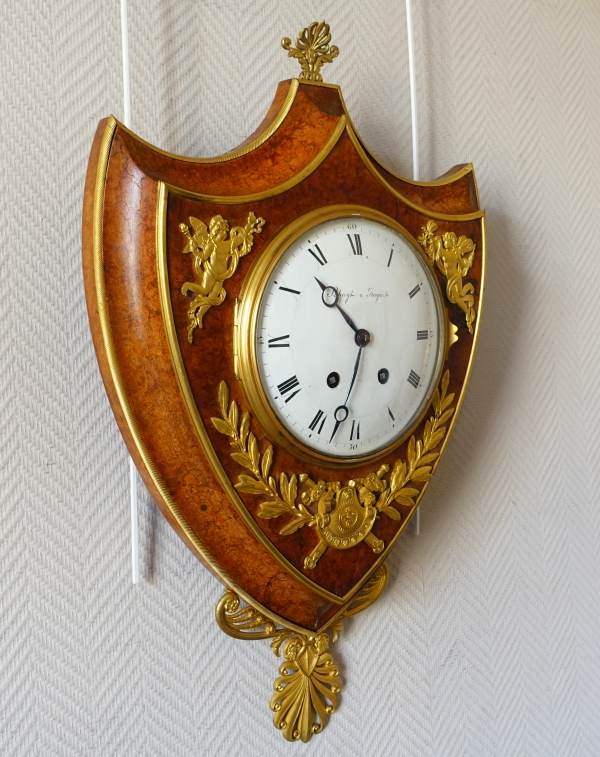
(348, 337)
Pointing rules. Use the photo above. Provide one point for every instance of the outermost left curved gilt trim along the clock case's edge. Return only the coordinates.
(115, 372)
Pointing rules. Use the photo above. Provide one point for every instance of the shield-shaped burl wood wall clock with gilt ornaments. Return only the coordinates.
(285, 334)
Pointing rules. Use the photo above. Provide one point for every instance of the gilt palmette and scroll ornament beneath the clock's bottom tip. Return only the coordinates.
(307, 686)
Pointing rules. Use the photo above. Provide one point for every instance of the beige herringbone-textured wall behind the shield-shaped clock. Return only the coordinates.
(487, 640)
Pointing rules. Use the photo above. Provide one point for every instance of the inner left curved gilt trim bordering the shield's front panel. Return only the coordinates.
(190, 402)
